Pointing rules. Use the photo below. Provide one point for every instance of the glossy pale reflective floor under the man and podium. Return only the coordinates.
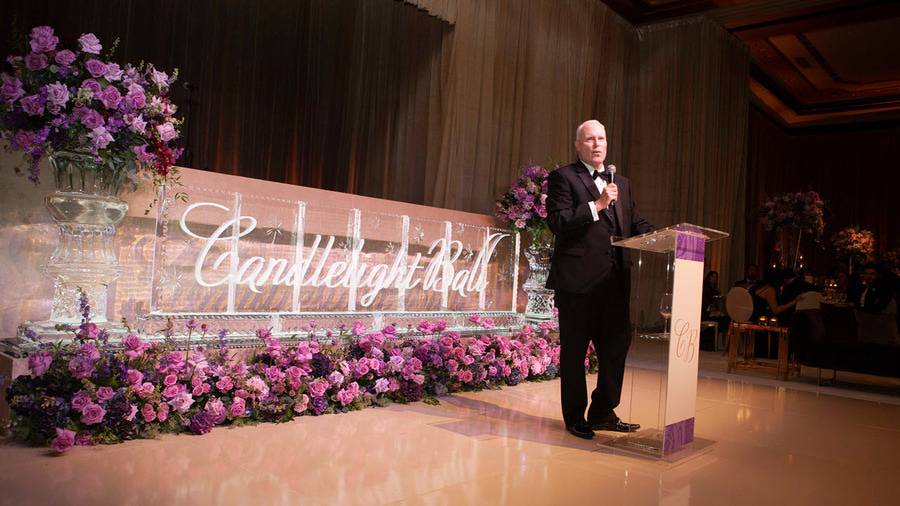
(772, 446)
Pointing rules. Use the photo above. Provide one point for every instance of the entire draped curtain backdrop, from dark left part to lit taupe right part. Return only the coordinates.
(441, 101)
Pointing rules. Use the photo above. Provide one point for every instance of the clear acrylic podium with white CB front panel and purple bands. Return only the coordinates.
(677, 296)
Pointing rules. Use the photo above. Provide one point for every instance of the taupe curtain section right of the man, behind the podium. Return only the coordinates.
(688, 142)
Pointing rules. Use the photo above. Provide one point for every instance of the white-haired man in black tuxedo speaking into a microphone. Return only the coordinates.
(586, 207)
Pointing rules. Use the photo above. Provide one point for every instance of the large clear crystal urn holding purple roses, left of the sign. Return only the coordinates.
(86, 208)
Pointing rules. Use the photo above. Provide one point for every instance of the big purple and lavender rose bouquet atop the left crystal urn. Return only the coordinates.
(62, 100)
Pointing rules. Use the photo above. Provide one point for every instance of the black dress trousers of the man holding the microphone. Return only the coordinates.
(601, 317)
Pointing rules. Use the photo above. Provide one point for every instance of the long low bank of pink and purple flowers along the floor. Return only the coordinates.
(85, 392)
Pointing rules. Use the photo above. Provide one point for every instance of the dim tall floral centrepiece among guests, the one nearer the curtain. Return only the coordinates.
(804, 210)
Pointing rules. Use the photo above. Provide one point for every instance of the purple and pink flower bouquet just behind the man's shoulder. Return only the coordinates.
(524, 205)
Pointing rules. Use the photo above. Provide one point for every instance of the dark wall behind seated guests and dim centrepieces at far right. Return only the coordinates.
(854, 168)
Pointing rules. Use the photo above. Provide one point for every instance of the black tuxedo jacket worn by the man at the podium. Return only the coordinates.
(583, 256)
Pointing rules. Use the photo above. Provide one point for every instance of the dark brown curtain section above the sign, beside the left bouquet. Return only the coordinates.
(324, 93)
